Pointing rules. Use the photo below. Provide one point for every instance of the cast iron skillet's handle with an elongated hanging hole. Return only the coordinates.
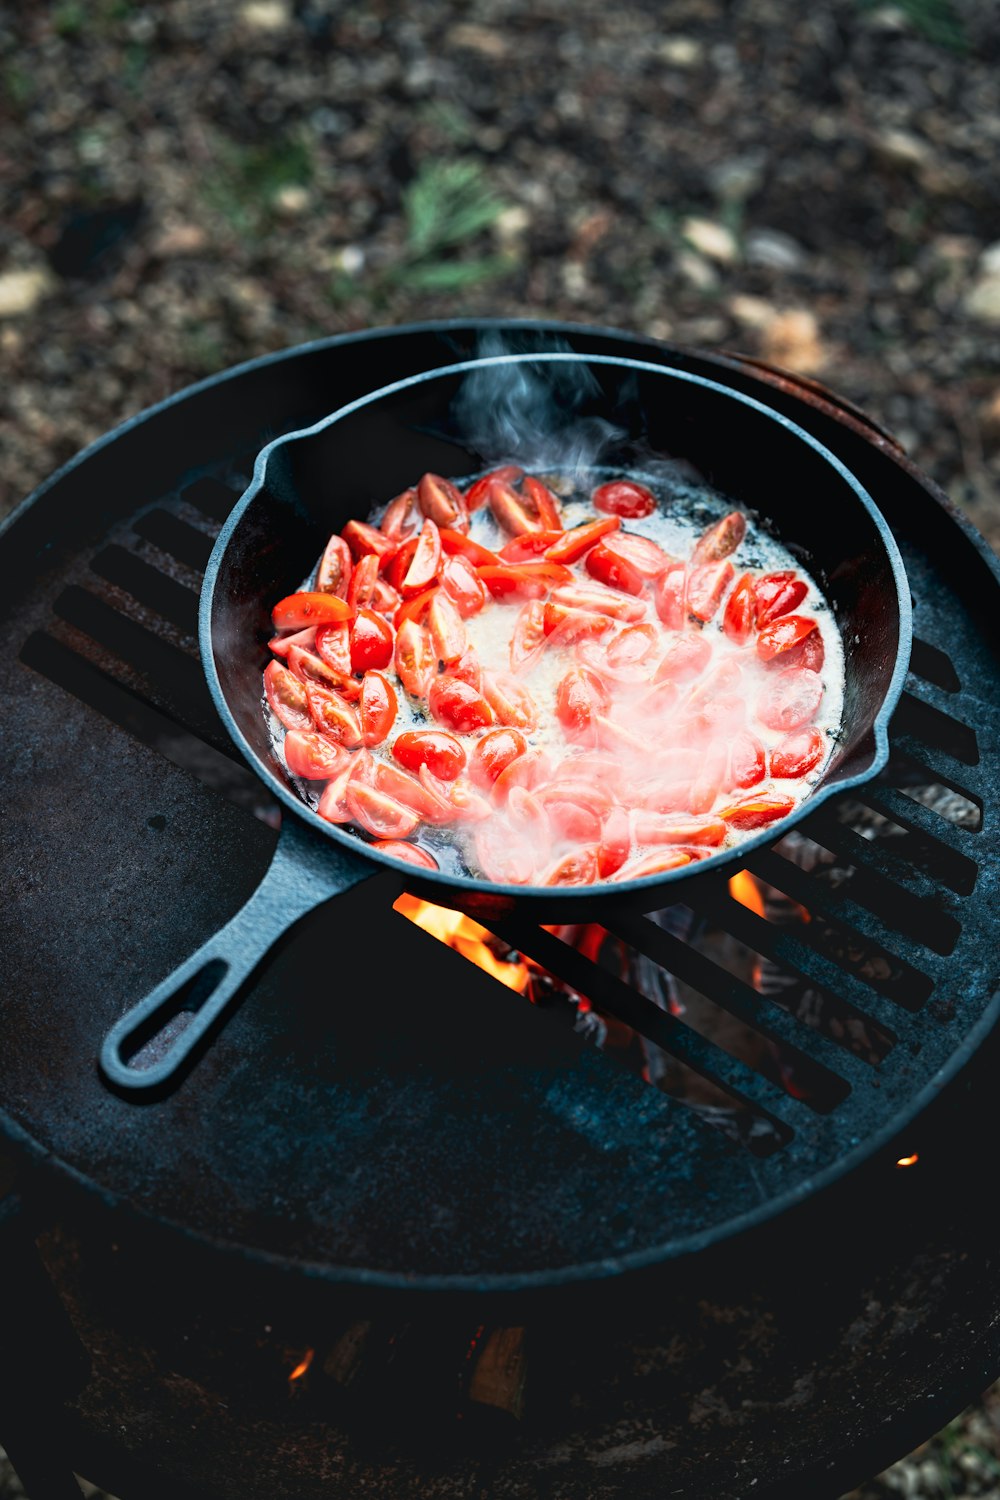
(299, 878)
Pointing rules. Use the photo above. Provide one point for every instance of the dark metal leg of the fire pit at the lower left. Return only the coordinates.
(41, 1355)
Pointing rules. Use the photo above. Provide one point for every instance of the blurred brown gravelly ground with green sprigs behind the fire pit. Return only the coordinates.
(191, 184)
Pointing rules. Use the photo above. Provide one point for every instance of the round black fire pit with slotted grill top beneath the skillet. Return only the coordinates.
(416, 1234)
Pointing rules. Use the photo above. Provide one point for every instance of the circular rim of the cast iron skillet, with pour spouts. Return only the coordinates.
(439, 886)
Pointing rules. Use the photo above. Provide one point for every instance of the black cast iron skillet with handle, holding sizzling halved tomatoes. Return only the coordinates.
(310, 484)
